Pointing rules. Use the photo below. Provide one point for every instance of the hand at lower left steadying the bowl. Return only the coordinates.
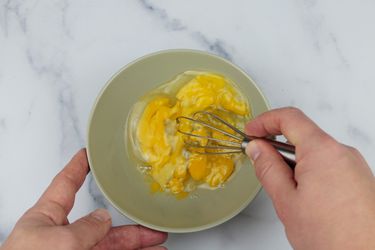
(46, 226)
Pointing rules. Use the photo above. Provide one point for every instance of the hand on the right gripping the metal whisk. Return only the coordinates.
(328, 202)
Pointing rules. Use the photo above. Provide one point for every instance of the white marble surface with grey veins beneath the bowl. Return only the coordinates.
(55, 55)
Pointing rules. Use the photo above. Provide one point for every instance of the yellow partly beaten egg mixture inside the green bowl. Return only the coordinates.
(172, 167)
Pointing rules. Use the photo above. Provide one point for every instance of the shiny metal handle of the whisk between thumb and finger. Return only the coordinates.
(286, 150)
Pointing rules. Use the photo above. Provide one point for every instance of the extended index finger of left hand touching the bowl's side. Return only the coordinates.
(58, 199)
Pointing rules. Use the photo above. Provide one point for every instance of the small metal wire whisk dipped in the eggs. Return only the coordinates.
(236, 142)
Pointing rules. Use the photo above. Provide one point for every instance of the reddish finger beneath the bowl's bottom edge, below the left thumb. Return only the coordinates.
(131, 237)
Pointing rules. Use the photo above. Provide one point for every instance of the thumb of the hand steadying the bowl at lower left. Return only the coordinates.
(92, 228)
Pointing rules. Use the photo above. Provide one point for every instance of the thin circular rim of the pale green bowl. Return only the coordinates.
(101, 188)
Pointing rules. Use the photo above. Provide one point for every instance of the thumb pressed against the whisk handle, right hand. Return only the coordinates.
(272, 171)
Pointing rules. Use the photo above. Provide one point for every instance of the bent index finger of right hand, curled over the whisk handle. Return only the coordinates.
(291, 122)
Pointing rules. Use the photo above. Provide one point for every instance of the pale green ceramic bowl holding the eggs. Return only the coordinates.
(116, 173)
